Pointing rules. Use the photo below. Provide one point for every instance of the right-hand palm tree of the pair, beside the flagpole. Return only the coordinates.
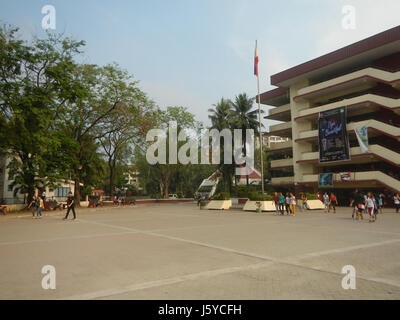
(243, 117)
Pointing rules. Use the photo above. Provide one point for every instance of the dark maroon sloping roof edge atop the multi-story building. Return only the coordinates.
(374, 47)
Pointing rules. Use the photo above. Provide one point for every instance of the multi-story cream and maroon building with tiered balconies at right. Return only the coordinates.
(364, 77)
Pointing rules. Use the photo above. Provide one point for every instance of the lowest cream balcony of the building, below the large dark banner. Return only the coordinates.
(367, 179)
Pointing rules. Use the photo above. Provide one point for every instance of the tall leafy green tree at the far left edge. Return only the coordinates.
(35, 83)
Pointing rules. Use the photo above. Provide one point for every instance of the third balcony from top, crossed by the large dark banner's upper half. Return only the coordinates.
(374, 128)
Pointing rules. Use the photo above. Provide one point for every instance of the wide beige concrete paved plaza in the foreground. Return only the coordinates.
(176, 251)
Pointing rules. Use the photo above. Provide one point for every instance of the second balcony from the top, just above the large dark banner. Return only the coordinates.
(356, 104)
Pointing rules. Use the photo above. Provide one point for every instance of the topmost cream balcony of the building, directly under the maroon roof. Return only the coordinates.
(364, 77)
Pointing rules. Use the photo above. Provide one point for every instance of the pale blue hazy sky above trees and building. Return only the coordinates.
(192, 53)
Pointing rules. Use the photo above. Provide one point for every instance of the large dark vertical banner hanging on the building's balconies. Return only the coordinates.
(332, 135)
